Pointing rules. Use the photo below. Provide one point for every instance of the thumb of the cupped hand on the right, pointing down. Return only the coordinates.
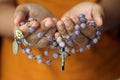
(97, 13)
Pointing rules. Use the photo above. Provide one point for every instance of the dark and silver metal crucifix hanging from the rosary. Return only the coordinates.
(63, 54)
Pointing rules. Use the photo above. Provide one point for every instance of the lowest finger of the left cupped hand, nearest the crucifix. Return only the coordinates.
(45, 41)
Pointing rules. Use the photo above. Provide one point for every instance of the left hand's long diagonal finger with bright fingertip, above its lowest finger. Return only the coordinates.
(41, 31)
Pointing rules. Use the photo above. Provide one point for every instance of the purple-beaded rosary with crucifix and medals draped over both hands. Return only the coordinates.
(58, 43)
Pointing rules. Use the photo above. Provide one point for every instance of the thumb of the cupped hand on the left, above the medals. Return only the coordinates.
(20, 14)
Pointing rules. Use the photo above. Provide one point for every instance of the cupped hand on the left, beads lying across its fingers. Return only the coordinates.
(43, 27)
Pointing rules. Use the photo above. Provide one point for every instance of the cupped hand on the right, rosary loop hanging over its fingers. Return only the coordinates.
(66, 25)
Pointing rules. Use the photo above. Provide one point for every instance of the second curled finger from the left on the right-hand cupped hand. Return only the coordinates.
(69, 25)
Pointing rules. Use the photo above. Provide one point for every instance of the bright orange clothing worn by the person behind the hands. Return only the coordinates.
(99, 63)
